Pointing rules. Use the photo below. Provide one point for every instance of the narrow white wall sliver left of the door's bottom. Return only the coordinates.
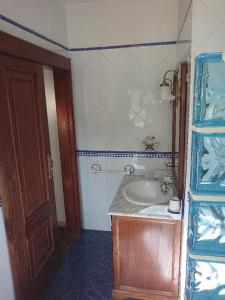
(6, 284)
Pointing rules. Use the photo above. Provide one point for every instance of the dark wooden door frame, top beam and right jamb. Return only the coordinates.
(16, 47)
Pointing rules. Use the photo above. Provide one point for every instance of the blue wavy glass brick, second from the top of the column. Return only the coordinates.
(208, 163)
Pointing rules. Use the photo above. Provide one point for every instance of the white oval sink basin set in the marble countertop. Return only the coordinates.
(146, 192)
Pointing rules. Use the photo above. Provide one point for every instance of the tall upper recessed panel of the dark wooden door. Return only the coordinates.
(27, 135)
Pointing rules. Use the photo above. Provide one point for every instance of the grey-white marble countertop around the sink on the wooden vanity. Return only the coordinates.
(122, 207)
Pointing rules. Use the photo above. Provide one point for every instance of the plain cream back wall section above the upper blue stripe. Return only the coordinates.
(113, 22)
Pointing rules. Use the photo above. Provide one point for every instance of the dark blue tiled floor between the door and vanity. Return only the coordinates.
(86, 273)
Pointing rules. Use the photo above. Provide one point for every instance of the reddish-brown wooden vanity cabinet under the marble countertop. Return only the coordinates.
(146, 255)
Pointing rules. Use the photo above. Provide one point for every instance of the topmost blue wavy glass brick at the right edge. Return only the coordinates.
(209, 91)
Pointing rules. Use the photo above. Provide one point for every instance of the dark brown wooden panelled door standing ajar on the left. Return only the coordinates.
(25, 182)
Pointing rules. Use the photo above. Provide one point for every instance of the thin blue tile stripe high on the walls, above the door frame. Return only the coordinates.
(31, 31)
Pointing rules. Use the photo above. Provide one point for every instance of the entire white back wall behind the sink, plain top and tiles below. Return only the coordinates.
(116, 91)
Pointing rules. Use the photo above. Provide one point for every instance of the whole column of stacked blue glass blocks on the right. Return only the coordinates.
(206, 235)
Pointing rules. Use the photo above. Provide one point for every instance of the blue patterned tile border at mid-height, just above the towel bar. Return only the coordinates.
(144, 154)
